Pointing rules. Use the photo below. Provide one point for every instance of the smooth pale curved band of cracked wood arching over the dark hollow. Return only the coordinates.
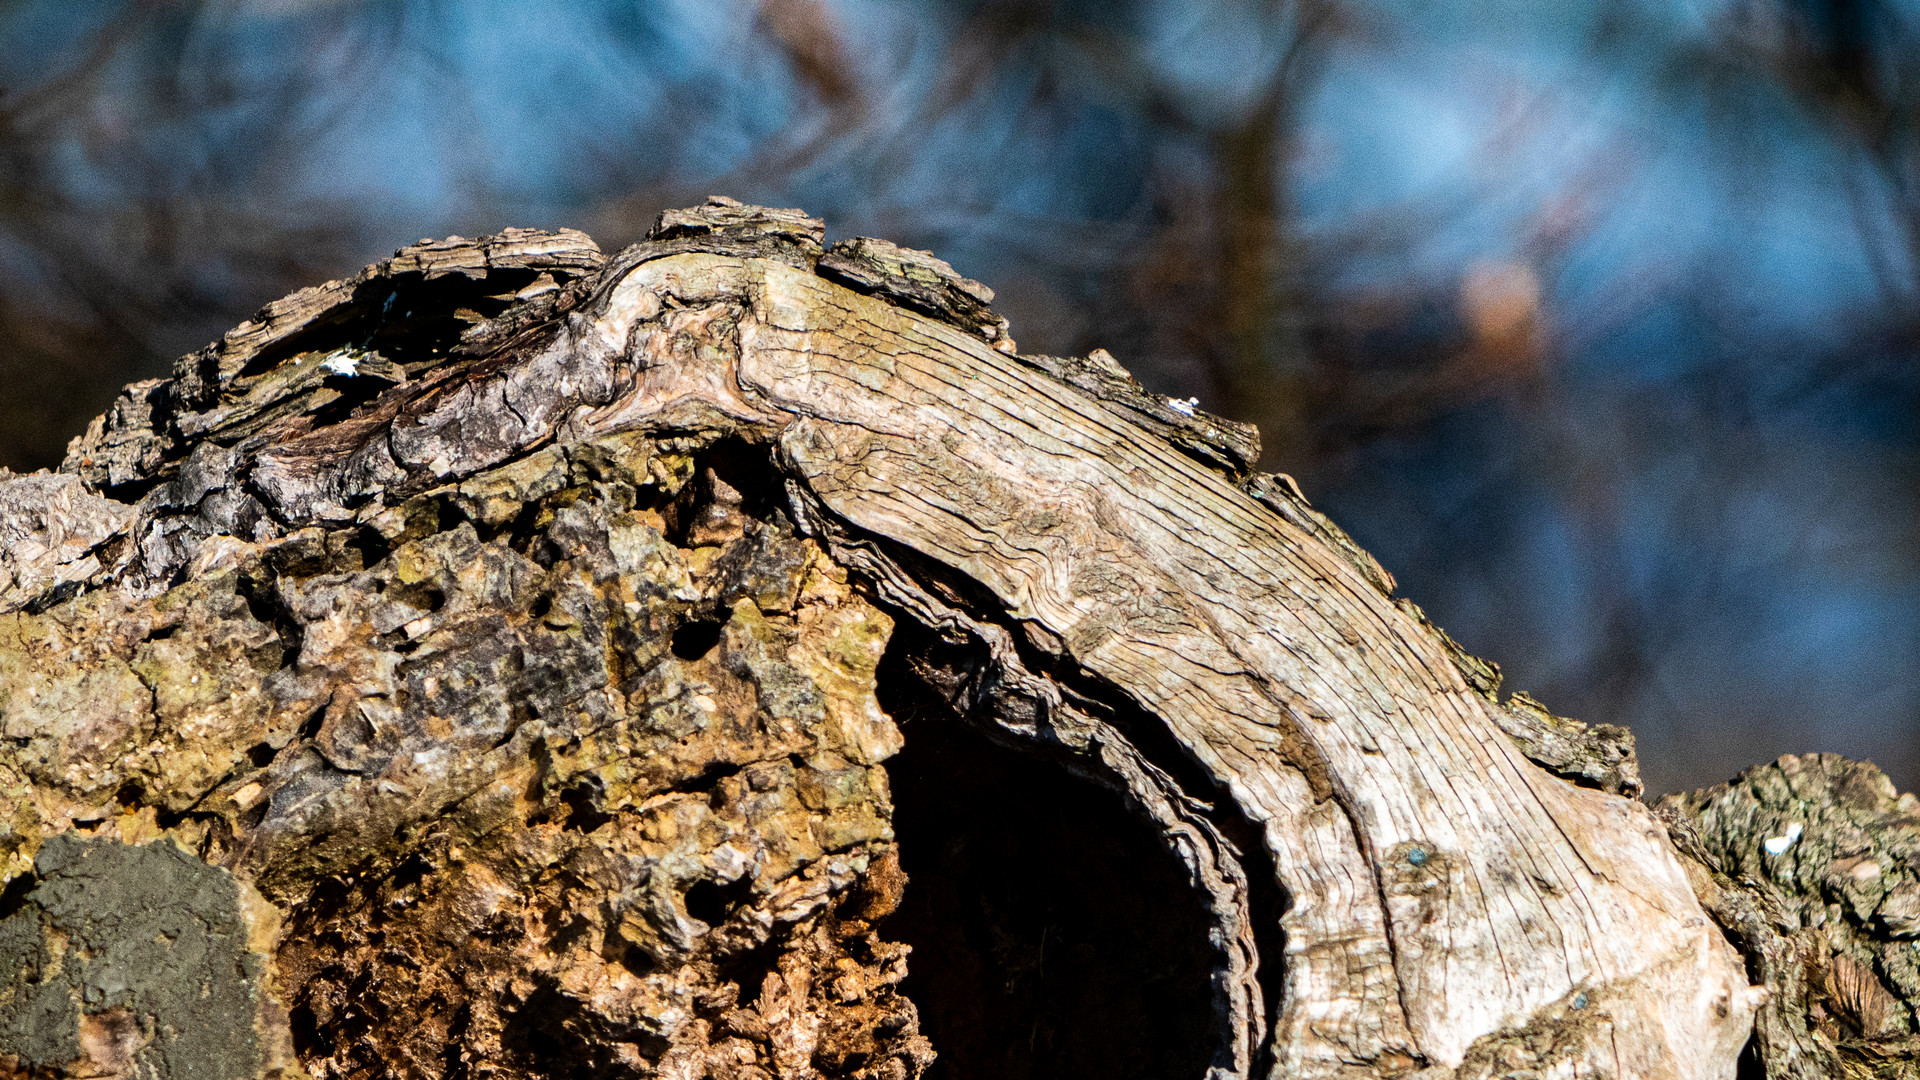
(1443, 889)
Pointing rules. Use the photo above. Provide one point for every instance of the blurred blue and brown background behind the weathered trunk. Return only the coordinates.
(1596, 322)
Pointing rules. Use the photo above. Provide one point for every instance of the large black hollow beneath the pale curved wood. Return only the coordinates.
(1053, 935)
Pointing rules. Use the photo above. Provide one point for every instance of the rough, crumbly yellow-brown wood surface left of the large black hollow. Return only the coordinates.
(575, 798)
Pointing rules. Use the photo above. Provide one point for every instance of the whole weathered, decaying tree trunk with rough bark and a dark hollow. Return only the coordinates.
(516, 662)
